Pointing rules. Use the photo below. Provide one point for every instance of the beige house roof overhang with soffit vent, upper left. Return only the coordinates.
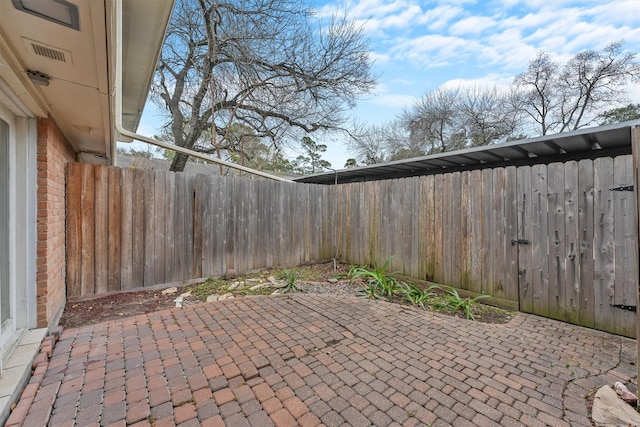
(79, 66)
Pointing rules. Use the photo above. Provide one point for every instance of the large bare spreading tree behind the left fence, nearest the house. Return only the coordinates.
(263, 64)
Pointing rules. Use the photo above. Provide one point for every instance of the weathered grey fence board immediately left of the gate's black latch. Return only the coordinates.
(511, 231)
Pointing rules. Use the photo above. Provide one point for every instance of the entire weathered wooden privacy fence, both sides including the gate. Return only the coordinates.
(553, 239)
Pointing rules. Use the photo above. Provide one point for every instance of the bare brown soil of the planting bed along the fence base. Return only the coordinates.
(316, 278)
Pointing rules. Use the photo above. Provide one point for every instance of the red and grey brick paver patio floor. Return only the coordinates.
(310, 360)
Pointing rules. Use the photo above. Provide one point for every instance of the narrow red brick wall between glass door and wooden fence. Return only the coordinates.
(53, 155)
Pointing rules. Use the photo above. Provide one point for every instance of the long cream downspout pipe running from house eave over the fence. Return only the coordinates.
(123, 132)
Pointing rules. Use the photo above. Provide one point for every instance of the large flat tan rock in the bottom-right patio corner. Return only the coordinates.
(609, 410)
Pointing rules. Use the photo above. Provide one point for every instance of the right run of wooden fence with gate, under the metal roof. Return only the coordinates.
(555, 239)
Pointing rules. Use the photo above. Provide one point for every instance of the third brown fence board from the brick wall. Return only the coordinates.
(101, 229)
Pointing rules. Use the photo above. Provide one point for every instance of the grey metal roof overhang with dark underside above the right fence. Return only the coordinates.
(602, 141)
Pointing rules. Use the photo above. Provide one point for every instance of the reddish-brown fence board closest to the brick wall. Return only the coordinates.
(74, 230)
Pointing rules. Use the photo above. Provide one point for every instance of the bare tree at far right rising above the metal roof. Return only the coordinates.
(561, 98)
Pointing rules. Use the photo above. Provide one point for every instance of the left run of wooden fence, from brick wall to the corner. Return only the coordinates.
(129, 228)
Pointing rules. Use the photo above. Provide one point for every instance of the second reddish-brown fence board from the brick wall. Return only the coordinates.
(88, 230)
